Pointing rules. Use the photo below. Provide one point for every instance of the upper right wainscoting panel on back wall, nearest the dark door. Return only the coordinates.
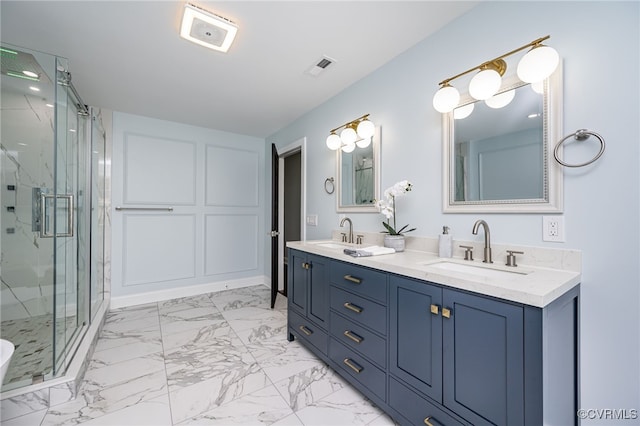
(231, 177)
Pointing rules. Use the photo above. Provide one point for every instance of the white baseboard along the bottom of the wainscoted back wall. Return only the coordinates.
(194, 290)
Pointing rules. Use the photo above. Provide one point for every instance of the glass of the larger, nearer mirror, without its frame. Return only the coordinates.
(504, 165)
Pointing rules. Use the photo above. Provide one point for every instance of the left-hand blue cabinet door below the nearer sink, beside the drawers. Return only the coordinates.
(415, 335)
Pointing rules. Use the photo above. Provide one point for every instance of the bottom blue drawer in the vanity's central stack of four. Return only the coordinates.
(359, 368)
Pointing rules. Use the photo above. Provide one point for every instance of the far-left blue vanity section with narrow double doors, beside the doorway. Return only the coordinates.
(308, 298)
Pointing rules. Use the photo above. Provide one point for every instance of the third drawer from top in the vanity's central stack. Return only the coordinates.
(359, 338)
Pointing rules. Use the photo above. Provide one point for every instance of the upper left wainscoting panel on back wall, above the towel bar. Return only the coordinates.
(158, 170)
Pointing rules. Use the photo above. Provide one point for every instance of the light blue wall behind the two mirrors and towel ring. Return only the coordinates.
(599, 44)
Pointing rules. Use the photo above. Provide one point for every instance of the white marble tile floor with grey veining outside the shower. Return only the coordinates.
(220, 358)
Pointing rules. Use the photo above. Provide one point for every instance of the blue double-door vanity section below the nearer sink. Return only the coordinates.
(461, 350)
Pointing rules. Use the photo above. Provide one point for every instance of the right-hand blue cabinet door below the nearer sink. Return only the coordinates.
(483, 359)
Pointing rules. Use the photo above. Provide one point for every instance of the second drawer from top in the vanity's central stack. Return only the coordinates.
(360, 310)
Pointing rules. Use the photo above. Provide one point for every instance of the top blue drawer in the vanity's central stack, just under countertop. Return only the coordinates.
(357, 279)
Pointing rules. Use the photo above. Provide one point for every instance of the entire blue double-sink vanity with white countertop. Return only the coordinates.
(441, 342)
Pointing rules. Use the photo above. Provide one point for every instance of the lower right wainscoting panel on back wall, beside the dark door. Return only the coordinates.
(230, 243)
